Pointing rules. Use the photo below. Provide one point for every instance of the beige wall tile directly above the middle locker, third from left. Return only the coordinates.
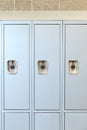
(46, 4)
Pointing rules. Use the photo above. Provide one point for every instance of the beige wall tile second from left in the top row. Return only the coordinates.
(22, 5)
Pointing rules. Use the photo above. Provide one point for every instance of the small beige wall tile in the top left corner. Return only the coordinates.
(7, 5)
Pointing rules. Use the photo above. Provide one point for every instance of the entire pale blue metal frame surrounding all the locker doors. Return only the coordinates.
(62, 110)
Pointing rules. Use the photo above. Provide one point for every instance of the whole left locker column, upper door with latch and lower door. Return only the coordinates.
(16, 78)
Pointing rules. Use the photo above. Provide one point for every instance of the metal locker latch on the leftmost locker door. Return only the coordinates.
(12, 66)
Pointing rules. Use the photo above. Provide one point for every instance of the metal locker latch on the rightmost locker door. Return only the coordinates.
(73, 66)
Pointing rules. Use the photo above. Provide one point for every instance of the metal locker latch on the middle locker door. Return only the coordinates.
(42, 67)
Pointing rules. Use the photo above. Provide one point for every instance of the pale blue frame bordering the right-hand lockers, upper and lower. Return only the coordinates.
(68, 22)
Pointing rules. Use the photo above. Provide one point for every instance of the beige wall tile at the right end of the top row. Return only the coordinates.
(73, 4)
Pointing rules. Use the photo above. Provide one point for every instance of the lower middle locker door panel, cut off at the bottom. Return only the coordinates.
(46, 121)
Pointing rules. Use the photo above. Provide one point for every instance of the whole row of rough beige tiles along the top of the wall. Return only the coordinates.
(25, 5)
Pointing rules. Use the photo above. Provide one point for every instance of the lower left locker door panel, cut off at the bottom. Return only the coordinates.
(17, 121)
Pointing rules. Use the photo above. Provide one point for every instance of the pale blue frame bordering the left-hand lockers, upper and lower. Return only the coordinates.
(14, 22)
